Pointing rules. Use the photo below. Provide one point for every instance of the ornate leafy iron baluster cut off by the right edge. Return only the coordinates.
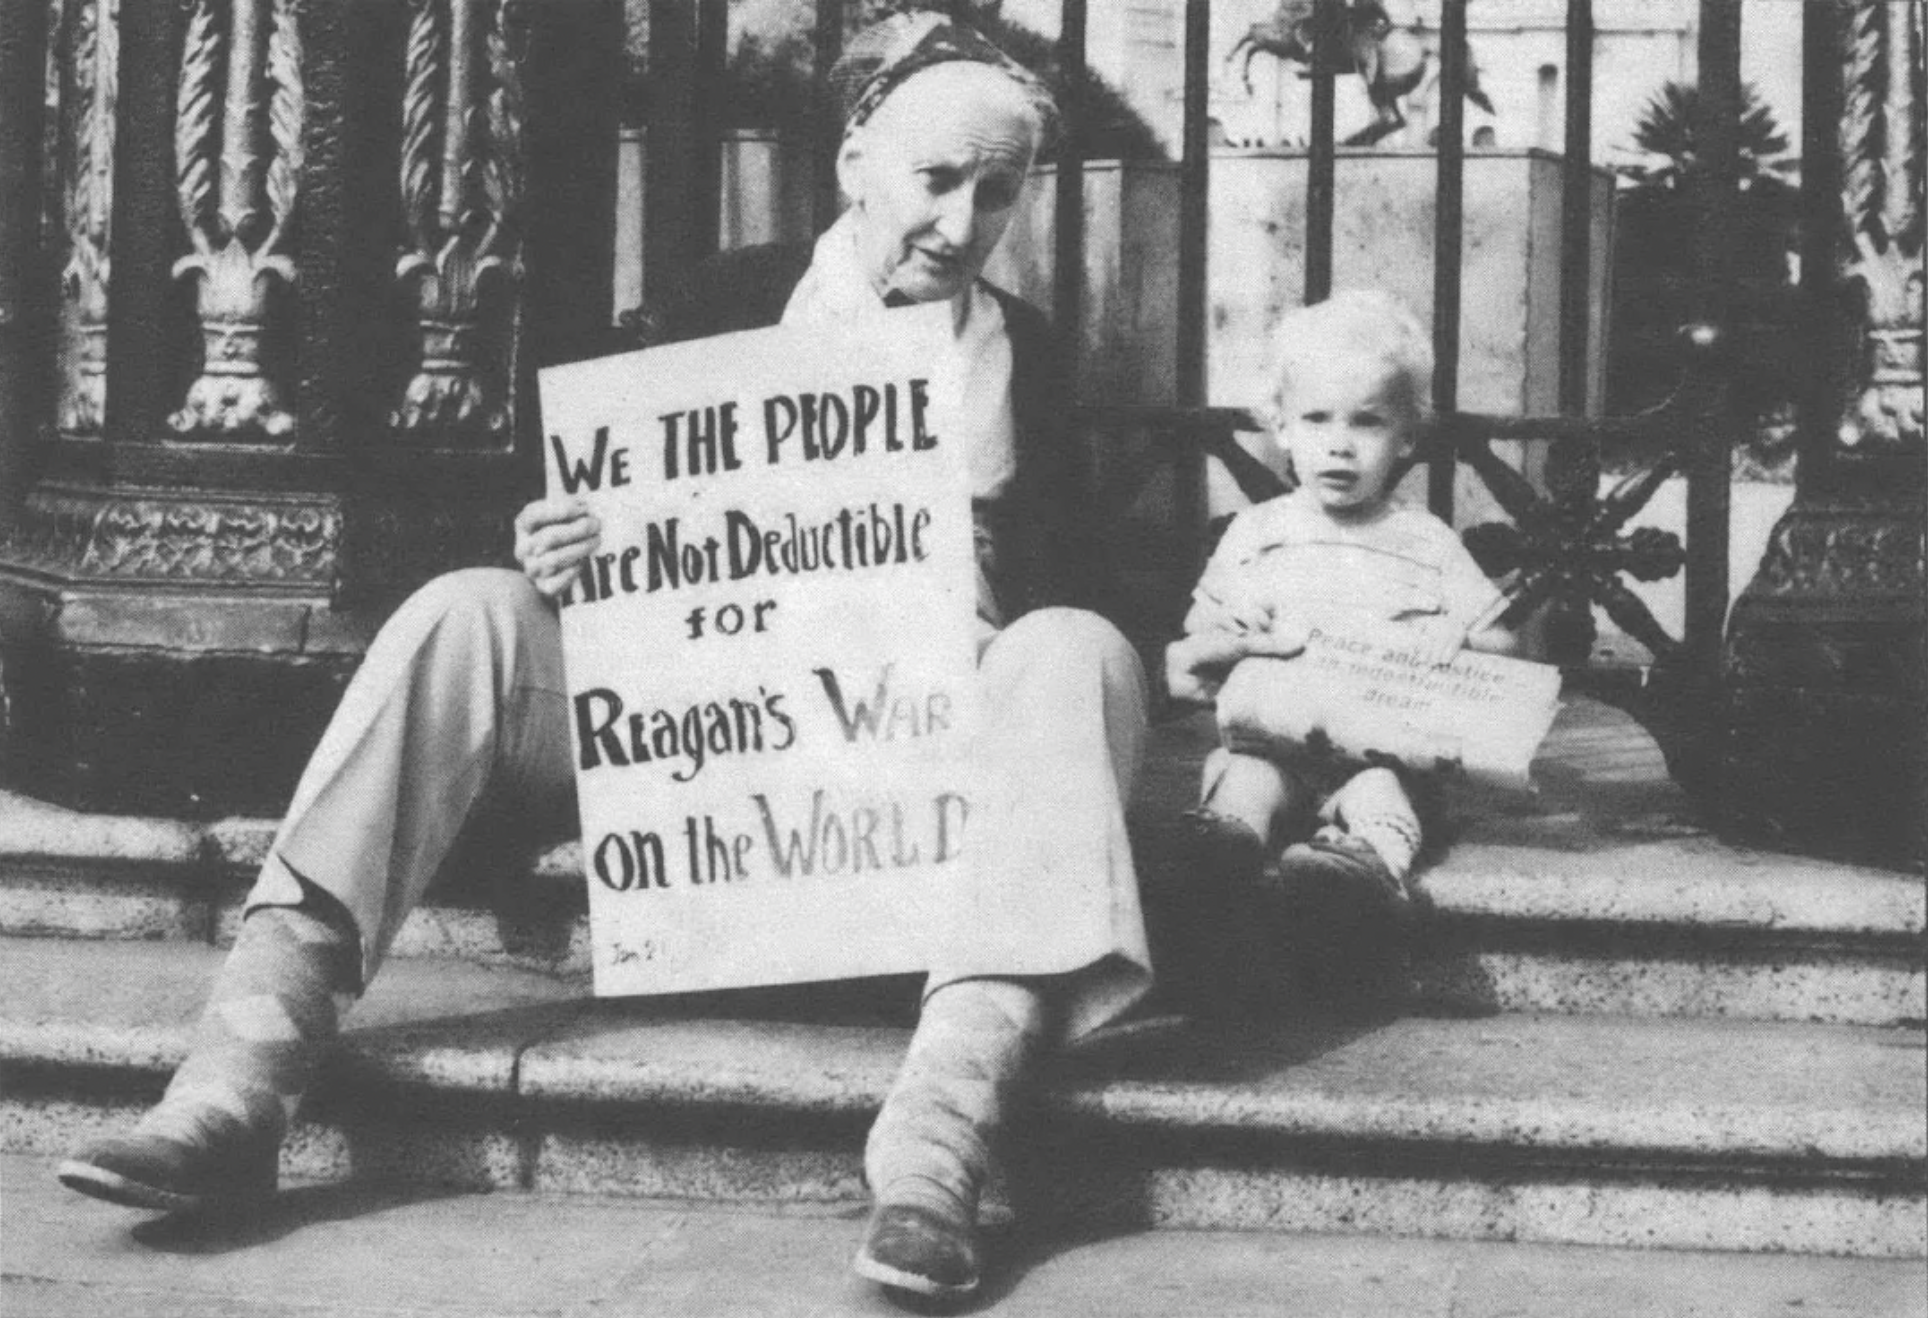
(1883, 144)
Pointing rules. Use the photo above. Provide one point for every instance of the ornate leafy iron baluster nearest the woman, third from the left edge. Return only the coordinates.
(462, 194)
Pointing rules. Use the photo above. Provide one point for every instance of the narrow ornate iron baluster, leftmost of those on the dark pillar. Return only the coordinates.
(86, 57)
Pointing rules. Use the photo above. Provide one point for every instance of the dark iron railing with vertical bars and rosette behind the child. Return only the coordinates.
(1566, 546)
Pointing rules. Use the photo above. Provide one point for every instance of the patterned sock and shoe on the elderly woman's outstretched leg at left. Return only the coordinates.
(217, 1134)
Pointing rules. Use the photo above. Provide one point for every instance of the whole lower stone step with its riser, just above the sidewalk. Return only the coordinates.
(1674, 1134)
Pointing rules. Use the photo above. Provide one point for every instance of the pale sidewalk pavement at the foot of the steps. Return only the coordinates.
(358, 1252)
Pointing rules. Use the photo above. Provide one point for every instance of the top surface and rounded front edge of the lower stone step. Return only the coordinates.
(473, 1032)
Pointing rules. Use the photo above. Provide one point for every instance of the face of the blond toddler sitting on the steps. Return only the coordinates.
(1347, 429)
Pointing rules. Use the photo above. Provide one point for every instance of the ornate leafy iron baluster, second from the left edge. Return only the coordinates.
(238, 174)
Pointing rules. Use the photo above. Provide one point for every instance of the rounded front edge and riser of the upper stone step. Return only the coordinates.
(1638, 932)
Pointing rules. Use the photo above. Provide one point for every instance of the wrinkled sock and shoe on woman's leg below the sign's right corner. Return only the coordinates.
(930, 1149)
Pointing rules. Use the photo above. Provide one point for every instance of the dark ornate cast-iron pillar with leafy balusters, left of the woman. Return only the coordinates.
(296, 265)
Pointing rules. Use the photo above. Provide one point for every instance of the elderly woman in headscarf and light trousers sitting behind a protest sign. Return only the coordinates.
(460, 718)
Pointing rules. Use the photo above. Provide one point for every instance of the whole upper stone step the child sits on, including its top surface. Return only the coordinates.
(1597, 895)
